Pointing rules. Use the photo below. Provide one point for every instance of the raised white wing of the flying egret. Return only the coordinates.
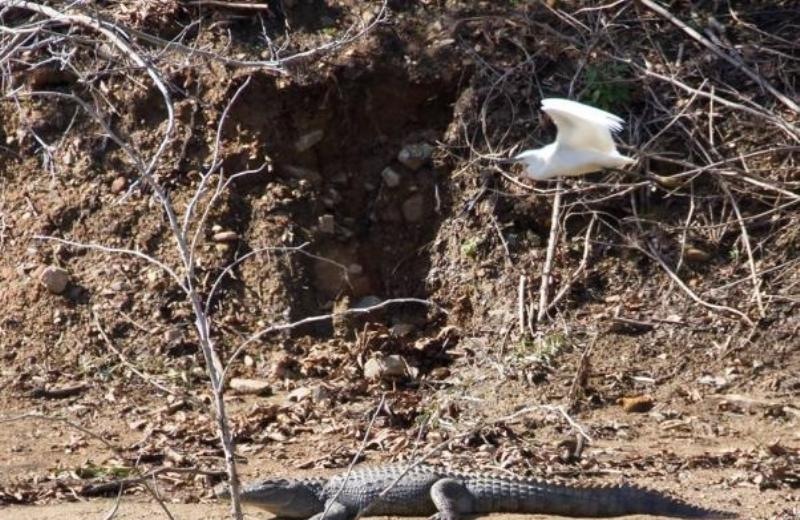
(581, 126)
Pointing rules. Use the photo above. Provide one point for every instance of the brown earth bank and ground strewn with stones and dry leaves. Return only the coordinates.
(718, 408)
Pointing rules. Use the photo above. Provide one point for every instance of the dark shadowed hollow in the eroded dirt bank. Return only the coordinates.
(335, 147)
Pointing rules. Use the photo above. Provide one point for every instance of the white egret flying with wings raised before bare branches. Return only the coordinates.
(583, 143)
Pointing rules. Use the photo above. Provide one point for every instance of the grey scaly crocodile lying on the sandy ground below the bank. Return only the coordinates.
(422, 490)
